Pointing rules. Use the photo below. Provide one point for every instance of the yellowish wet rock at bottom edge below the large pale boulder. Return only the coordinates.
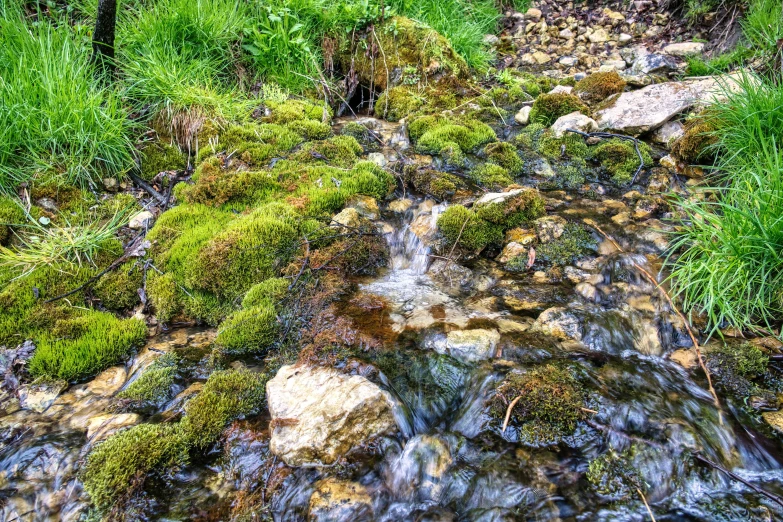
(335, 500)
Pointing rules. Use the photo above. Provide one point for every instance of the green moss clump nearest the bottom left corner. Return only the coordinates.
(119, 466)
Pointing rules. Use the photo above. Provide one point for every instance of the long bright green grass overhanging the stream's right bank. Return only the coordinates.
(731, 266)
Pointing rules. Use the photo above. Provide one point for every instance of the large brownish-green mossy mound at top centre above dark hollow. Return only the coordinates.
(404, 51)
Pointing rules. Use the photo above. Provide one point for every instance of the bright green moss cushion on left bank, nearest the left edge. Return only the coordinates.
(83, 345)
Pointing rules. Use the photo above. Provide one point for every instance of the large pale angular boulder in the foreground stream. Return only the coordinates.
(319, 414)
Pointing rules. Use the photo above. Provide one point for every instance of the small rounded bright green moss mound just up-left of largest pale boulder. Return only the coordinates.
(250, 330)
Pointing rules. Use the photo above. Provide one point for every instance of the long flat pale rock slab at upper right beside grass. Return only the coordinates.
(647, 109)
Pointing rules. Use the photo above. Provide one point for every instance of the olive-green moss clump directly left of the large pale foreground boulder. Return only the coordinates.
(227, 396)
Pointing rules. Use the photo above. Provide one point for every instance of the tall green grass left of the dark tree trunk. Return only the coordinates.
(53, 117)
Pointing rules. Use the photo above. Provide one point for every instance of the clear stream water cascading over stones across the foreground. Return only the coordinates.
(451, 460)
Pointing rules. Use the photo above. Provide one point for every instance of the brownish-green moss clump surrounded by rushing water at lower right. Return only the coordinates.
(550, 404)
